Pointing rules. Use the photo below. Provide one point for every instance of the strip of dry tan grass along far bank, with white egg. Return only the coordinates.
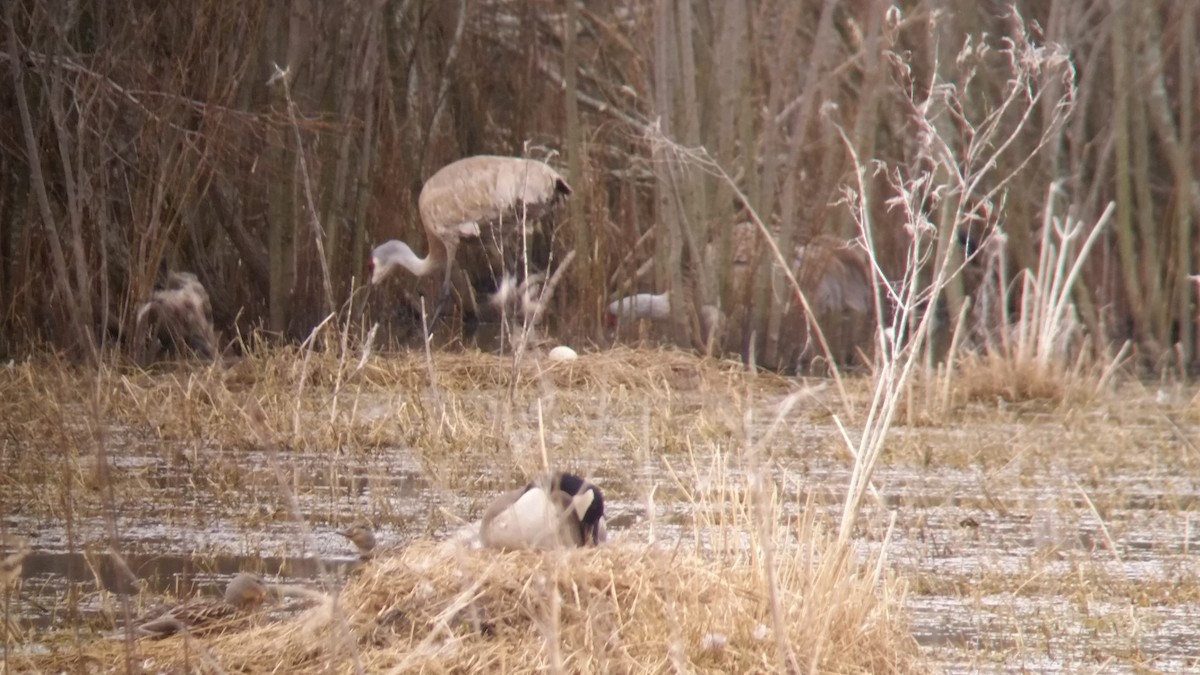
(319, 399)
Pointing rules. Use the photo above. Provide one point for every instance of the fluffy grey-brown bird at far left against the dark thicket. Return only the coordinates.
(182, 315)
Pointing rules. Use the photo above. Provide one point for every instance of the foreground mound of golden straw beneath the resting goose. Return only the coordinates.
(441, 607)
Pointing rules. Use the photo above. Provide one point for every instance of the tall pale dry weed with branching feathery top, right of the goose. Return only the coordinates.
(955, 186)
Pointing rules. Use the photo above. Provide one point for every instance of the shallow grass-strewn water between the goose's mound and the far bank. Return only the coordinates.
(1045, 542)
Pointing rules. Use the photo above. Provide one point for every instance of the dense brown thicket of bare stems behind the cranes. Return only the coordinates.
(149, 136)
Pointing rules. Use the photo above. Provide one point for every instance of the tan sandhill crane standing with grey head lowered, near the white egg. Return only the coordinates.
(487, 199)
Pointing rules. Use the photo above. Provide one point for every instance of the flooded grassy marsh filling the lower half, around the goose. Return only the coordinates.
(1036, 536)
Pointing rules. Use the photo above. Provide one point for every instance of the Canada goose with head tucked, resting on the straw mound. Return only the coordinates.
(557, 511)
